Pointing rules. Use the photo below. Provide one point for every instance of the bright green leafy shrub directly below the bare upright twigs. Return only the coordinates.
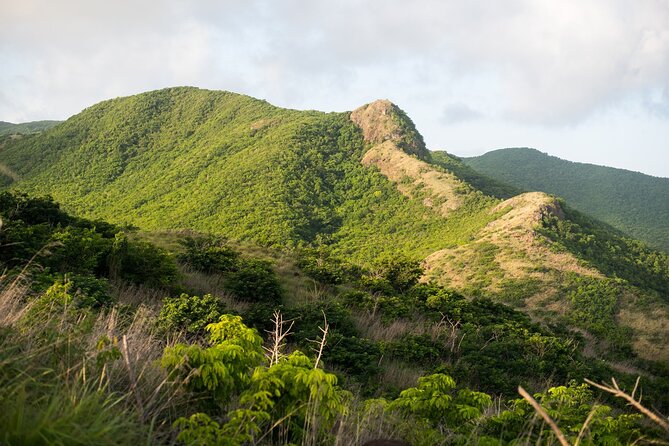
(286, 402)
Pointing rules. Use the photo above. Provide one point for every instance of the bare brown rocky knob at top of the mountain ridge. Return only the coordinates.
(382, 121)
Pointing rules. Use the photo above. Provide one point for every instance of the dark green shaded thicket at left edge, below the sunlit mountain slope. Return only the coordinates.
(36, 230)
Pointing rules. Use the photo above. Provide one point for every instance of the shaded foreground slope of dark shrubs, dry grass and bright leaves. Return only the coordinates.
(108, 339)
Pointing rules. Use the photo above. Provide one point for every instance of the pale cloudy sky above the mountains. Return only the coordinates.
(585, 80)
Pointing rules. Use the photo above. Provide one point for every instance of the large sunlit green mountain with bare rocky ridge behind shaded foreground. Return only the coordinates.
(360, 185)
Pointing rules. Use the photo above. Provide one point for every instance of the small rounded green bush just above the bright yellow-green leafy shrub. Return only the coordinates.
(190, 313)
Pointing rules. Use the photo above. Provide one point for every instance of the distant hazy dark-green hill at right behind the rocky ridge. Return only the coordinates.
(632, 202)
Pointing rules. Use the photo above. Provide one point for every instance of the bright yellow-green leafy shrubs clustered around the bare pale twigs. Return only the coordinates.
(291, 395)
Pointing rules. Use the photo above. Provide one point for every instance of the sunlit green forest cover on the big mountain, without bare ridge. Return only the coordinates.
(228, 164)
